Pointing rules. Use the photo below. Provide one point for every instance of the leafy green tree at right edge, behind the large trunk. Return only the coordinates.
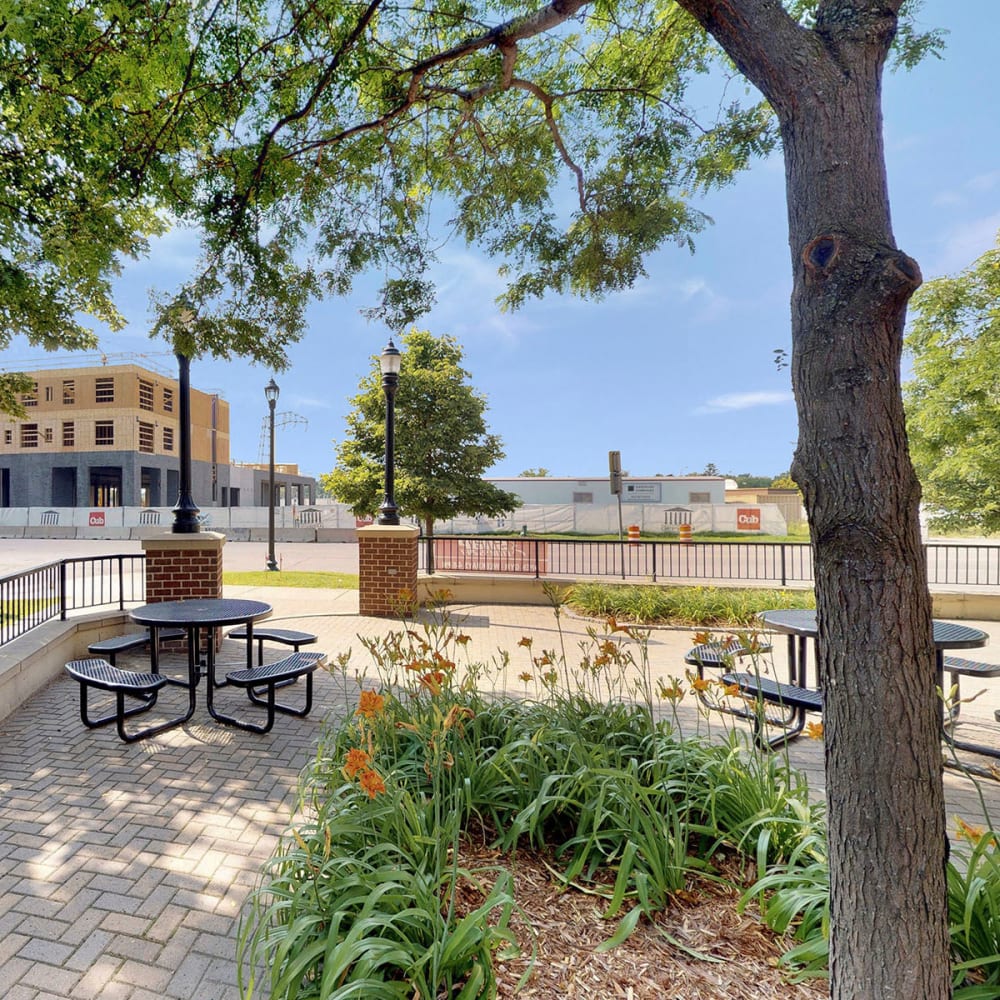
(953, 402)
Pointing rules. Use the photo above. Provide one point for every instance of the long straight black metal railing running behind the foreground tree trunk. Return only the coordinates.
(780, 563)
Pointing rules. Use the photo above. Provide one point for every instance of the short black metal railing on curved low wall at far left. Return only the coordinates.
(34, 596)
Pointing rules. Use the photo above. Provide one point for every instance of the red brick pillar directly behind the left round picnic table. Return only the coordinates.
(182, 566)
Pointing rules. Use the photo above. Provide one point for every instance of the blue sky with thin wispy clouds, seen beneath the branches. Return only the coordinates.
(676, 372)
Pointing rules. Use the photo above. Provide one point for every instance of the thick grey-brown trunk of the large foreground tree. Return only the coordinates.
(883, 756)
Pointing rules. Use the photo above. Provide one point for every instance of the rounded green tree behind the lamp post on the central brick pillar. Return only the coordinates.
(442, 444)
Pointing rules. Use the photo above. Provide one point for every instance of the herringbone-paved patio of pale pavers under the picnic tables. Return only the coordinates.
(123, 868)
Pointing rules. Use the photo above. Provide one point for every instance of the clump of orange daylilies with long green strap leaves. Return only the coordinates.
(581, 760)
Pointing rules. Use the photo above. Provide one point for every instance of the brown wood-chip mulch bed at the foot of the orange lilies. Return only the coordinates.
(561, 930)
